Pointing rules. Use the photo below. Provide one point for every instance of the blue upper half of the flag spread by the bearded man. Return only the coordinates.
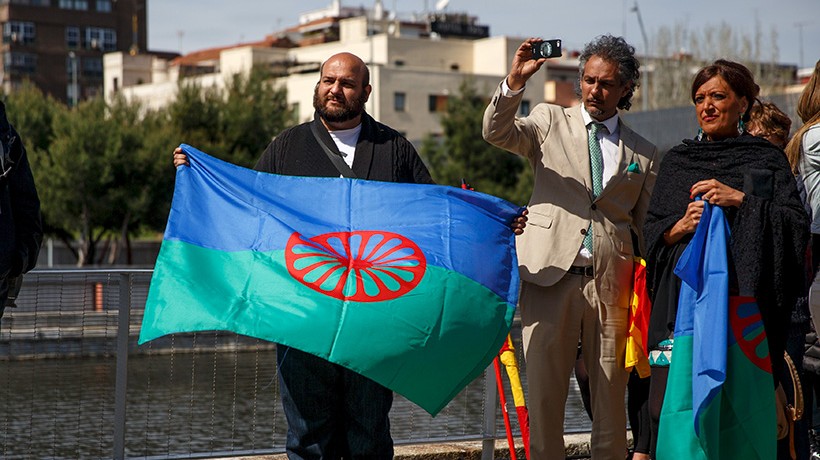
(434, 217)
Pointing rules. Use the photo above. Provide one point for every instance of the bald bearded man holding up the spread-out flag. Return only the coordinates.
(333, 412)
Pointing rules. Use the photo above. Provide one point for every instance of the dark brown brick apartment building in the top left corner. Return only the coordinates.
(59, 44)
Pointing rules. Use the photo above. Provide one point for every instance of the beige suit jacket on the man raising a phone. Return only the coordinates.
(554, 141)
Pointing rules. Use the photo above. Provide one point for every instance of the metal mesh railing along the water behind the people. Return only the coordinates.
(75, 384)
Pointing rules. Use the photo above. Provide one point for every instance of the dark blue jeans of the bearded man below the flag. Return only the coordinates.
(332, 412)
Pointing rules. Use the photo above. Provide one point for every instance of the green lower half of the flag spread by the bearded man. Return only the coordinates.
(426, 344)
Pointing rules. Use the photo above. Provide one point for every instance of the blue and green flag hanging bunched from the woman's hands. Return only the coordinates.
(719, 401)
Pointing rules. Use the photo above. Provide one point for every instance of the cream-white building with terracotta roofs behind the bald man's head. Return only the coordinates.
(412, 70)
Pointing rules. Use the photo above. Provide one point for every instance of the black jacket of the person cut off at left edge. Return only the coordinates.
(21, 229)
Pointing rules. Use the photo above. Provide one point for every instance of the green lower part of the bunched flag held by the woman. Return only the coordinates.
(739, 423)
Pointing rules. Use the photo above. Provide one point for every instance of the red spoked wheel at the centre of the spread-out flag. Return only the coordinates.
(361, 266)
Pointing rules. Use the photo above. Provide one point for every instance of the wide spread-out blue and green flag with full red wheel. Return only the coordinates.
(413, 286)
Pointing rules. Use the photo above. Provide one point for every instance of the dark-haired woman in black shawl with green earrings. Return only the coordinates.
(750, 179)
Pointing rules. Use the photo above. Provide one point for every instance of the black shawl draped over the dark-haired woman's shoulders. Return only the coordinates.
(769, 231)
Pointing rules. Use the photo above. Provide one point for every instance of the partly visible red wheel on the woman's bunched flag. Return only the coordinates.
(747, 328)
